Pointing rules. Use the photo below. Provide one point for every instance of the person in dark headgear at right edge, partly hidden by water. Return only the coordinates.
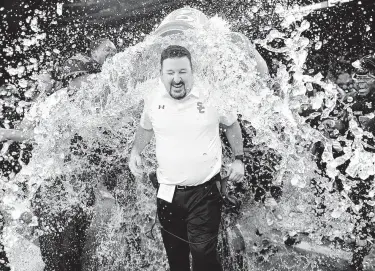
(363, 112)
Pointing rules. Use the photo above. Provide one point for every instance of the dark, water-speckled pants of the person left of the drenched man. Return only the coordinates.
(62, 244)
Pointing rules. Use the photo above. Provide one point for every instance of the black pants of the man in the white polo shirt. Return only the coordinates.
(193, 215)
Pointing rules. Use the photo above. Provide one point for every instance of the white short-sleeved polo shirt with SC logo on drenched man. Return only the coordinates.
(188, 145)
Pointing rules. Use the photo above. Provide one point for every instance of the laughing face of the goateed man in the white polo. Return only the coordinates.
(177, 77)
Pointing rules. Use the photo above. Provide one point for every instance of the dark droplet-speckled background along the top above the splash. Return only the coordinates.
(342, 28)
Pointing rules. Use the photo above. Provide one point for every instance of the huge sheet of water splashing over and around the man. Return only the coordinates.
(103, 116)
